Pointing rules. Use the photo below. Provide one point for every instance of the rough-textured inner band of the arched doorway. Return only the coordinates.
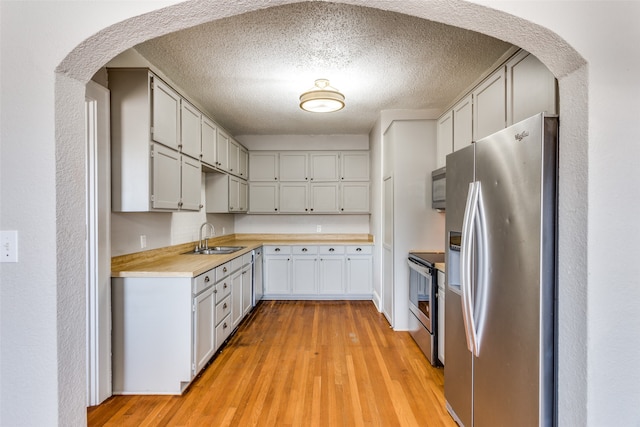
(78, 67)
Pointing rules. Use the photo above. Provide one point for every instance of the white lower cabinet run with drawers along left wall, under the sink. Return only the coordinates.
(166, 329)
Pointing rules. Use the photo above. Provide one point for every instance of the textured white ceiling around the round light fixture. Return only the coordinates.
(248, 71)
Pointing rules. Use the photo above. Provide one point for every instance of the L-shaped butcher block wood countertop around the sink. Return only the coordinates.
(173, 262)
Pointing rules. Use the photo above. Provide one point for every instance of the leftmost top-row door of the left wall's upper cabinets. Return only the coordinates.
(165, 114)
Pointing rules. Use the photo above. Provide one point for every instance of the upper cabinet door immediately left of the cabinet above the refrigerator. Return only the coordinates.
(489, 105)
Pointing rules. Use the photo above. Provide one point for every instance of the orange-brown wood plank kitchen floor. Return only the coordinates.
(301, 363)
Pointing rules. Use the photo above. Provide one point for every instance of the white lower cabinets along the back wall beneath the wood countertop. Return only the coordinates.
(318, 272)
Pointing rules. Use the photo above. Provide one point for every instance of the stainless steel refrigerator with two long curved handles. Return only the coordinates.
(500, 294)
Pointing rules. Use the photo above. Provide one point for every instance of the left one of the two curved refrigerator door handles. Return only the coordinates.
(466, 266)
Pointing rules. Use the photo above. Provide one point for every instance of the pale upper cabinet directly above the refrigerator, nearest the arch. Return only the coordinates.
(531, 88)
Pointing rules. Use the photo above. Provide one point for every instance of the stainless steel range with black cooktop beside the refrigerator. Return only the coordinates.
(423, 289)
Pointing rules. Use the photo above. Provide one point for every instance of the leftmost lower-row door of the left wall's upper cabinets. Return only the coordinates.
(166, 178)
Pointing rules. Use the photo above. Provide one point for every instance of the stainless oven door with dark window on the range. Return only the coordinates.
(421, 297)
